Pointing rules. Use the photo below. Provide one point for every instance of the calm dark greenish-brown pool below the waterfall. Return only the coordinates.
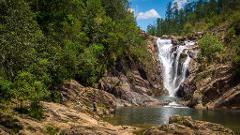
(138, 116)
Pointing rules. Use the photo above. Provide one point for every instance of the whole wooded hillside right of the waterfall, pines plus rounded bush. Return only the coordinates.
(211, 16)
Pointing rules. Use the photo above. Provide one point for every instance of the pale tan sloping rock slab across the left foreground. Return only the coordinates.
(60, 119)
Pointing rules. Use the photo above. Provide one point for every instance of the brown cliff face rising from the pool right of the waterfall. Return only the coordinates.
(211, 85)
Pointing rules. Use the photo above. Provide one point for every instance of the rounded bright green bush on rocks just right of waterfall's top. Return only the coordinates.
(210, 46)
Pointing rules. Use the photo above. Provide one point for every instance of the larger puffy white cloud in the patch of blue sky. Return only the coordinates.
(152, 13)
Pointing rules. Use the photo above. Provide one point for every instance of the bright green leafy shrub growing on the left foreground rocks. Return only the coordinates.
(27, 88)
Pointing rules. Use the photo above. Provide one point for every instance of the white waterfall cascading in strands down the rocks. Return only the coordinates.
(174, 62)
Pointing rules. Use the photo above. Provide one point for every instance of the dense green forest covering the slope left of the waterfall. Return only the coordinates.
(45, 42)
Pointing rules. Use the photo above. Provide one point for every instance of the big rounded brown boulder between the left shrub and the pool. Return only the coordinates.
(82, 98)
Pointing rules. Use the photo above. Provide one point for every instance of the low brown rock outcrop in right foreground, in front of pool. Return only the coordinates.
(184, 125)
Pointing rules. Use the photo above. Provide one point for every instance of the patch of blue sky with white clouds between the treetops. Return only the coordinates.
(147, 11)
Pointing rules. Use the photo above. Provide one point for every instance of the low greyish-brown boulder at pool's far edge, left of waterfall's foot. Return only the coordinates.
(124, 90)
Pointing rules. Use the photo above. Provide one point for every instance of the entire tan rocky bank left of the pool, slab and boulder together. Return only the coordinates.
(73, 116)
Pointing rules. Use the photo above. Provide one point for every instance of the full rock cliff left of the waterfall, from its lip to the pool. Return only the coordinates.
(133, 82)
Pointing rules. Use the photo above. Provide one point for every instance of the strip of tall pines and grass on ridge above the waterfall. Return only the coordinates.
(195, 16)
